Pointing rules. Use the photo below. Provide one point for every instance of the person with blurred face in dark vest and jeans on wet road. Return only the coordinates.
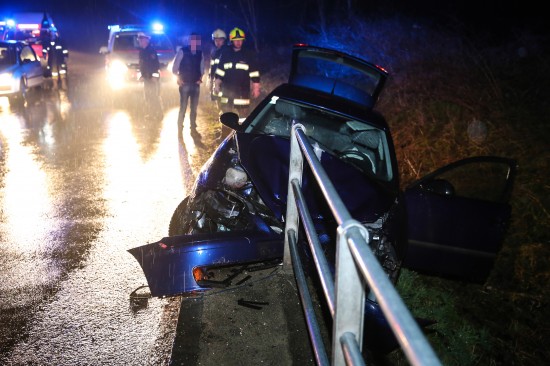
(189, 68)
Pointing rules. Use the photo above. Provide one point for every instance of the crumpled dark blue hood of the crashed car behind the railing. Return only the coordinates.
(265, 158)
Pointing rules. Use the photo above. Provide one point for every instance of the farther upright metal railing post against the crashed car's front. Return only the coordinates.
(292, 216)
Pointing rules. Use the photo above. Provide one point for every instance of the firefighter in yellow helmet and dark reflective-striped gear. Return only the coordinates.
(237, 76)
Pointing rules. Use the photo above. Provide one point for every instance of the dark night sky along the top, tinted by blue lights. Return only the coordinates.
(84, 22)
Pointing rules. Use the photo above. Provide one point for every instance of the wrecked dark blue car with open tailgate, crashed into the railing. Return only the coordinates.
(235, 213)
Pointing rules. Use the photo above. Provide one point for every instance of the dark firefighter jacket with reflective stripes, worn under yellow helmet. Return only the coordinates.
(236, 70)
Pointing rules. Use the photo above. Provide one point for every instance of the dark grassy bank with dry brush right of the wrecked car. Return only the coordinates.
(449, 98)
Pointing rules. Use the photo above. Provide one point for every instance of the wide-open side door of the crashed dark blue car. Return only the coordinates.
(457, 217)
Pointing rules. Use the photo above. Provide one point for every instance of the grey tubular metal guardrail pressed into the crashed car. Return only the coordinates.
(355, 263)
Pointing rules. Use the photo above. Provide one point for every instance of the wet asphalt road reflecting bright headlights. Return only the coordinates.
(81, 181)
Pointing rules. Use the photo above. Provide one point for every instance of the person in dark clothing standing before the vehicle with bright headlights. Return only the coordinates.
(149, 68)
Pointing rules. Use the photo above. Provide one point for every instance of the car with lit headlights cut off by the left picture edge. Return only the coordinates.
(20, 71)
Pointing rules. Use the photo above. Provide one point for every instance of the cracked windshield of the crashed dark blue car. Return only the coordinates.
(357, 142)
